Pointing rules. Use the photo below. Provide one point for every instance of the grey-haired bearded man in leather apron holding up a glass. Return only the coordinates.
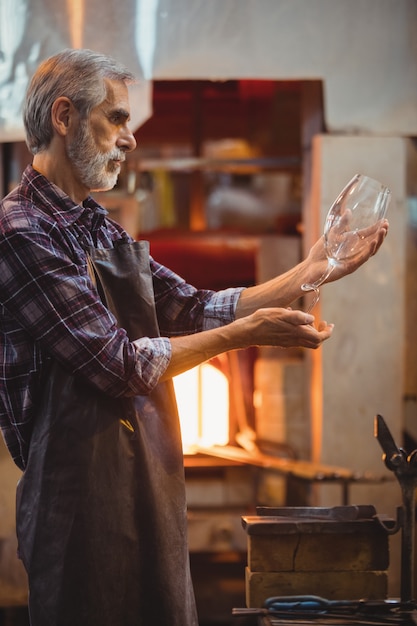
(92, 331)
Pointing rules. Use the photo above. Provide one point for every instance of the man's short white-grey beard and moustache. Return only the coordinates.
(97, 170)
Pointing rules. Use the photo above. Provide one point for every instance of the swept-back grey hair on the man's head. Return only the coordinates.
(77, 74)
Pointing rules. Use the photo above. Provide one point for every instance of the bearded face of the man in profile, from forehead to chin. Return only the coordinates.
(100, 143)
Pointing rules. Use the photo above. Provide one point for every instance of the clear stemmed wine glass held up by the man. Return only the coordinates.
(350, 224)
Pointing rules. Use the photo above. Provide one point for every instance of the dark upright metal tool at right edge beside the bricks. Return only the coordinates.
(404, 467)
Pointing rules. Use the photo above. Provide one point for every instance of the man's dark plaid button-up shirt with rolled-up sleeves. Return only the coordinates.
(49, 308)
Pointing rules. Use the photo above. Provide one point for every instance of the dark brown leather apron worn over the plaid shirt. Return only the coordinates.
(101, 510)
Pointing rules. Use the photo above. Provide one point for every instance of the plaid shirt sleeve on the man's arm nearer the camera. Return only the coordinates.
(49, 301)
